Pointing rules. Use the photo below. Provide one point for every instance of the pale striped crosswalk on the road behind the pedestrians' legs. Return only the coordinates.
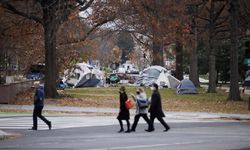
(67, 122)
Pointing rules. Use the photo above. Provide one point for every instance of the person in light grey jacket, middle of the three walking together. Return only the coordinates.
(140, 111)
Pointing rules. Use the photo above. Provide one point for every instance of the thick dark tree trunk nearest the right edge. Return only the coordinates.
(234, 93)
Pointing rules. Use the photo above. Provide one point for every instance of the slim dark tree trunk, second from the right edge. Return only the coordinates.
(212, 58)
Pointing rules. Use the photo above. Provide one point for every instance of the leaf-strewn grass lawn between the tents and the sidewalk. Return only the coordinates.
(109, 97)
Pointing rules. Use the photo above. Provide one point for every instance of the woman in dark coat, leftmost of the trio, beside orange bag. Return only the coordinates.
(124, 112)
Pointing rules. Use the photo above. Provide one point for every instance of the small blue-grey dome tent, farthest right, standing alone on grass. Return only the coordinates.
(186, 87)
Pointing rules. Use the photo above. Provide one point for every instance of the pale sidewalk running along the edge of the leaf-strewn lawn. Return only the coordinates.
(170, 115)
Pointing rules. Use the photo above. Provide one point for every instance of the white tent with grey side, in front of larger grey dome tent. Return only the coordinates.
(167, 80)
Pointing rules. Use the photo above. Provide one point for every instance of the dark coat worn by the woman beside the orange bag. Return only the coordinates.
(124, 112)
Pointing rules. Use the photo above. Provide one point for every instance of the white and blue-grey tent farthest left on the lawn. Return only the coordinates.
(83, 75)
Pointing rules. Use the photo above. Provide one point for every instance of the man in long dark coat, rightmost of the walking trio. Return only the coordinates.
(156, 109)
